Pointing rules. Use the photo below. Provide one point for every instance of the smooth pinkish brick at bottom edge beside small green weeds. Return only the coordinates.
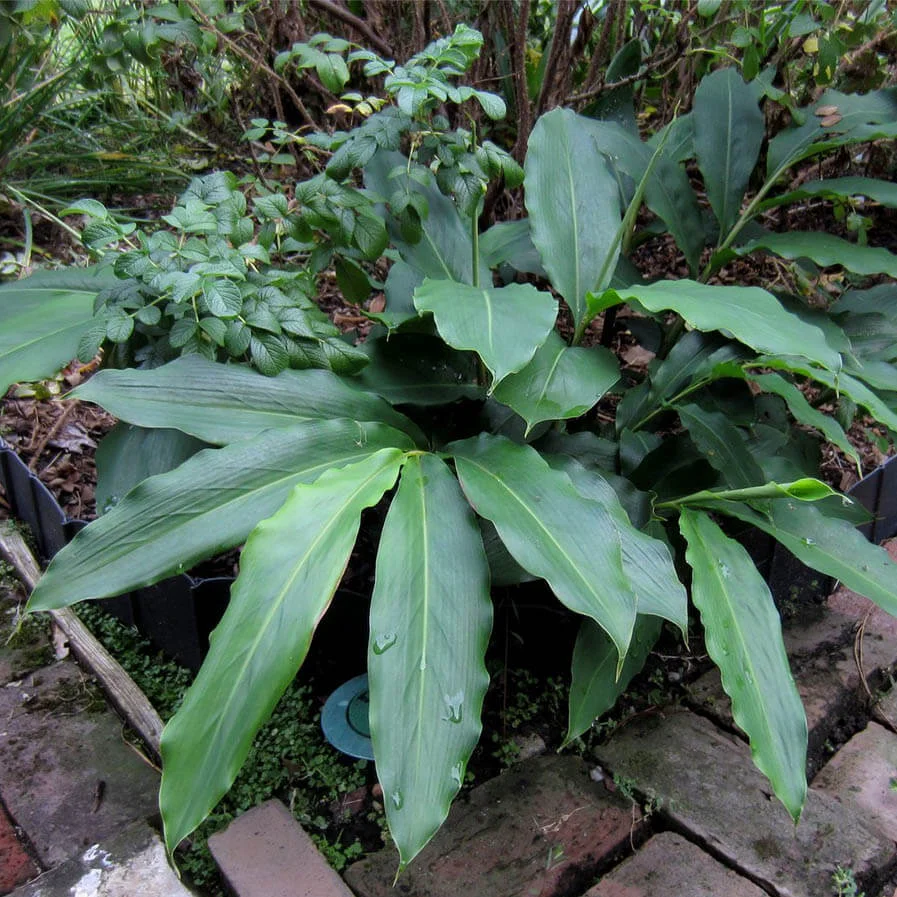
(265, 853)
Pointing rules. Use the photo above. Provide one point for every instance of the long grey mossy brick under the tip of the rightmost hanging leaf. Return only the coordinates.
(704, 784)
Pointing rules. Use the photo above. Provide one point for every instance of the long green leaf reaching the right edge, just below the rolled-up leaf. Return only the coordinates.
(828, 544)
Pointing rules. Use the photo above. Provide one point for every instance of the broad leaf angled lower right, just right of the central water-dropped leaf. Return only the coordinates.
(550, 529)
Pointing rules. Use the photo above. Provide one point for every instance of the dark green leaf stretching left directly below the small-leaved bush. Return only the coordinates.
(221, 403)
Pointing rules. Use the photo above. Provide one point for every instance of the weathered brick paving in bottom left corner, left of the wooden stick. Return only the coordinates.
(74, 796)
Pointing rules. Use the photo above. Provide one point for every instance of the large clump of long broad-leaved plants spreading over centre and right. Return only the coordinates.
(522, 480)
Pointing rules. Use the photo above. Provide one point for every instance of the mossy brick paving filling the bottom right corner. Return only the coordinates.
(717, 829)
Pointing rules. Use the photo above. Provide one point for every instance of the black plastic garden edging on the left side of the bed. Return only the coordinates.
(176, 615)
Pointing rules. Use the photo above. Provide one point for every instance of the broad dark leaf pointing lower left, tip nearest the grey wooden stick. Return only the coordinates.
(209, 504)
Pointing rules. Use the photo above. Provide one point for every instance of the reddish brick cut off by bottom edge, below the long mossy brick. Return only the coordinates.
(668, 864)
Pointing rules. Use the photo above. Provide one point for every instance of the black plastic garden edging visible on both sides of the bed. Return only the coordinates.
(178, 614)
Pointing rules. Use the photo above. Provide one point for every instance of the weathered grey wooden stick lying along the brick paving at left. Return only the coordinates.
(128, 699)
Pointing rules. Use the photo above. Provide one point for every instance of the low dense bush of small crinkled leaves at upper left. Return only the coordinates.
(210, 285)
